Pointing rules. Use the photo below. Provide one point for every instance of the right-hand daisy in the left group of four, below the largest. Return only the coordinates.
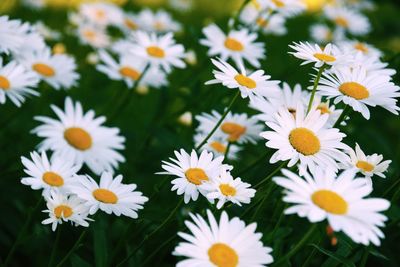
(110, 196)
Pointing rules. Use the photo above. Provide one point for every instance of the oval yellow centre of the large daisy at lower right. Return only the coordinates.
(330, 202)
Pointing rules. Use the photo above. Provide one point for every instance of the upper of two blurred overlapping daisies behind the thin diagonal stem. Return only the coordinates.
(238, 128)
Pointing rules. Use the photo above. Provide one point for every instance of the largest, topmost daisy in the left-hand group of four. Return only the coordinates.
(81, 138)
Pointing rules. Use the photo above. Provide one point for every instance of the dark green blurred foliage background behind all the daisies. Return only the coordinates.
(150, 125)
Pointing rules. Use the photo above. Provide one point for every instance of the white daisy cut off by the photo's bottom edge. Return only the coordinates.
(223, 243)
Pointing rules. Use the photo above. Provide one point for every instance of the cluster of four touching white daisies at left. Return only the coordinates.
(76, 139)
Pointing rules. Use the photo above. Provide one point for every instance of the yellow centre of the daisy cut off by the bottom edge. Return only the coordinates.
(223, 255)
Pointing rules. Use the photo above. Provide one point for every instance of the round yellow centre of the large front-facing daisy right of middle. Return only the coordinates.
(304, 141)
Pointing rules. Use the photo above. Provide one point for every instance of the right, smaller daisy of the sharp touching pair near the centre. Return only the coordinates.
(227, 189)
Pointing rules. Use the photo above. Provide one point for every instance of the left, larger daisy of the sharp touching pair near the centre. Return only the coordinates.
(193, 170)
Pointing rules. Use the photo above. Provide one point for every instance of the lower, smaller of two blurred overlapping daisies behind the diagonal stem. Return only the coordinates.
(217, 145)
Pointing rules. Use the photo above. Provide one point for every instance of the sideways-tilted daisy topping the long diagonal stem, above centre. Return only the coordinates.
(250, 85)
